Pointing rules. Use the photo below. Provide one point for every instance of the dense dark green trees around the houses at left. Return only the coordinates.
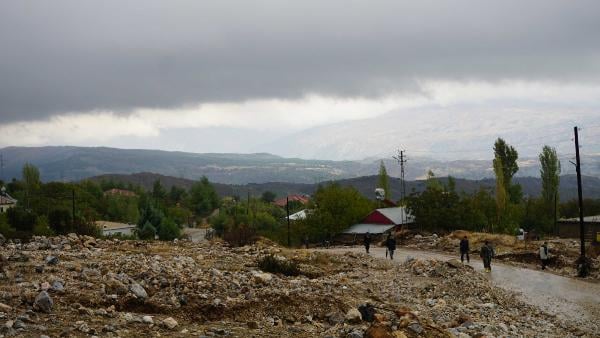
(63, 207)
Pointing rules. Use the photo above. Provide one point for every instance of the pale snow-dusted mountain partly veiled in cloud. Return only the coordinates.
(465, 135)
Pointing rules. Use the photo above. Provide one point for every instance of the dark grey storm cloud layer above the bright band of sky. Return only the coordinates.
(74, 56)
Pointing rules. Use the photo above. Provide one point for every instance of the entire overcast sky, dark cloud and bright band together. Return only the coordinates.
(232, 76)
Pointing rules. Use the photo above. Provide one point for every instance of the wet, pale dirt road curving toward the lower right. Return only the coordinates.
(567, 298)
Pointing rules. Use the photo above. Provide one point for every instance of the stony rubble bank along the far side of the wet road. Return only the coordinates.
(563, 252)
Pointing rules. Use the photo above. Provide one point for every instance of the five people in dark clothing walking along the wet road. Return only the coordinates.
(486, 252)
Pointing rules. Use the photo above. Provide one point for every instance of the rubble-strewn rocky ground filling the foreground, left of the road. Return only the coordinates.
(75, 286)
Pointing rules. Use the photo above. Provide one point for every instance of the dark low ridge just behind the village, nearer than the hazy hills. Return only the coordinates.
(366, 185)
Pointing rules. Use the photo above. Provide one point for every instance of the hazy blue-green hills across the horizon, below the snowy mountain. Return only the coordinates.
(75, 163)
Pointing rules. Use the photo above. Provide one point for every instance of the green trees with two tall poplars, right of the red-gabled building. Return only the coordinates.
(503, 209)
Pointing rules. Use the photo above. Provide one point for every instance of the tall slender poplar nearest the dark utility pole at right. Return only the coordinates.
(550, 173)
